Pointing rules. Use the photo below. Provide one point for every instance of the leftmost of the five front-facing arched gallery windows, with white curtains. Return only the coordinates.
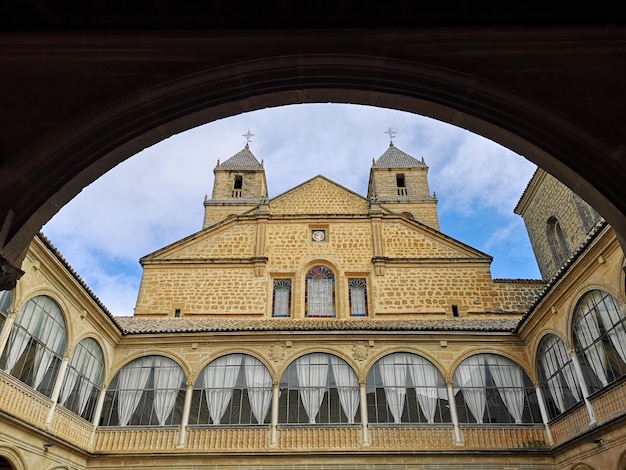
(149, 391)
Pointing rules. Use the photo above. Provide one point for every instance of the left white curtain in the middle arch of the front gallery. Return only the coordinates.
(312, 371)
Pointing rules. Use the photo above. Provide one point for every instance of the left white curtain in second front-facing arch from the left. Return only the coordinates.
(219, 379)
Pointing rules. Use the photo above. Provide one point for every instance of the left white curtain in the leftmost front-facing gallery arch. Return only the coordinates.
(132, 380)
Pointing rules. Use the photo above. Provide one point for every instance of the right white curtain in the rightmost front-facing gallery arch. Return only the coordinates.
(509, 379)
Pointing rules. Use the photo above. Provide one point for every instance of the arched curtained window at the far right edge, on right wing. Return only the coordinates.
(600, 339)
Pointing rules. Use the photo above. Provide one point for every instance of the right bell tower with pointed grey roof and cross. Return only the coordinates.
(399, 182)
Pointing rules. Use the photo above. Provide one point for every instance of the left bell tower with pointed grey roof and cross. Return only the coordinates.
(239, 185)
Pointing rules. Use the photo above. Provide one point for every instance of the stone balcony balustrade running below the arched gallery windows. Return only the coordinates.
(21, 404)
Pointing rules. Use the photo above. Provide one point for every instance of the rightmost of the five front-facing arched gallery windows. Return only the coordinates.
(493, 389)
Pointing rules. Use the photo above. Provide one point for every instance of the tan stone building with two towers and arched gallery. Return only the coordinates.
(325, 329)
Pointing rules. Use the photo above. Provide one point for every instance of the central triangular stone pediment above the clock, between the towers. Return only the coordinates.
(319, 195)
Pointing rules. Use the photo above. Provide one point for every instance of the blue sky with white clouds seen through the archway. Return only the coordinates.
(155, 197)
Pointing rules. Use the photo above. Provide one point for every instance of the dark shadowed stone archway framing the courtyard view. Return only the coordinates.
(64, 162)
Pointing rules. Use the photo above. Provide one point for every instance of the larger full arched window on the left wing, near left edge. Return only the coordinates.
(36, 344)
